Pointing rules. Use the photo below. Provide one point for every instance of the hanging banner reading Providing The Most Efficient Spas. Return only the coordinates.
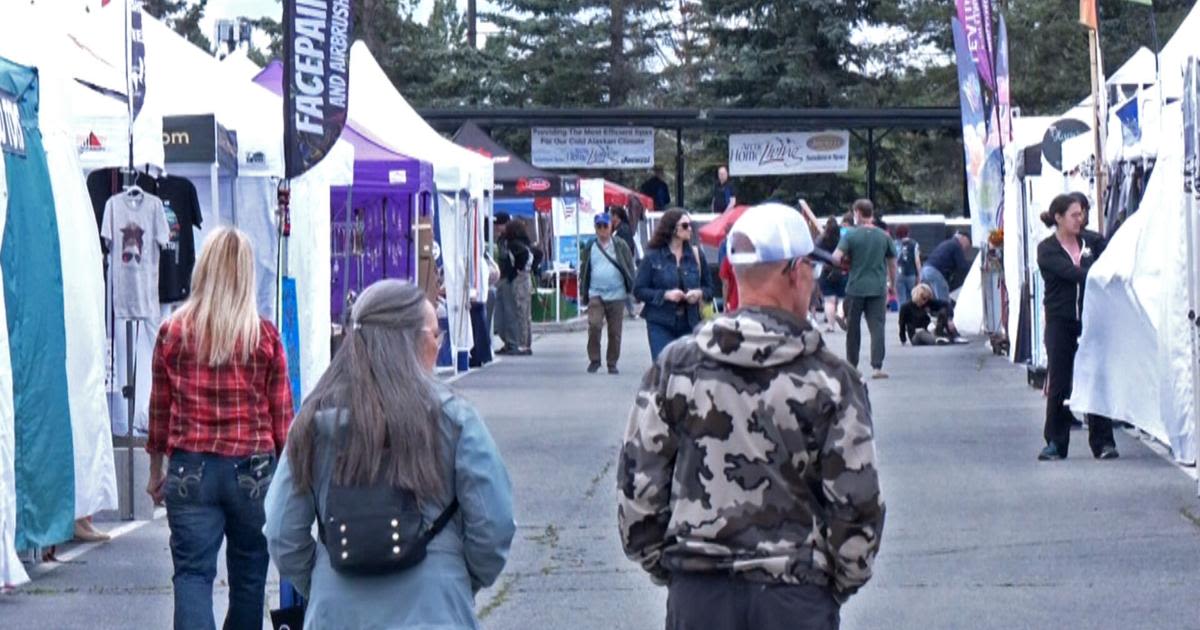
(593, 148)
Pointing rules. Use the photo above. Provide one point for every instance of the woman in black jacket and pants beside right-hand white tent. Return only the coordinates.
(1065, 259)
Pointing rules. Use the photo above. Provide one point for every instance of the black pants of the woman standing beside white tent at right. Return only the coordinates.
(1063, 343)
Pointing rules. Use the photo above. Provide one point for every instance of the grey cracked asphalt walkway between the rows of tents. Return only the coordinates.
(979, 535)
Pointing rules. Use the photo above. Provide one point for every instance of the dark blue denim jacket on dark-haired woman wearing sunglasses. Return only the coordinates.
(659, 273)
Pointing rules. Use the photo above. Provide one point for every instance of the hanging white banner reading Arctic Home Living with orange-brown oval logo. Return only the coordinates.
(789, 153)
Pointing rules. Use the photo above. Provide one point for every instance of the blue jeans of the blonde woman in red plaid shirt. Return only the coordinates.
(212, 499)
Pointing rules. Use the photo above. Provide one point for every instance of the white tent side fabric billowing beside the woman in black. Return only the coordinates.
(1136, 314)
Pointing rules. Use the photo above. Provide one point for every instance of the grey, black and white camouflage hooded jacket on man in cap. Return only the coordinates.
(751, 451)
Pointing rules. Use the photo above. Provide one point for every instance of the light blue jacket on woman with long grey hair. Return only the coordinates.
(439, 593)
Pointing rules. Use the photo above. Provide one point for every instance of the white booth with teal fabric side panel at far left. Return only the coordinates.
(52, 349)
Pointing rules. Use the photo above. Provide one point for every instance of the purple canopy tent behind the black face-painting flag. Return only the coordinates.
(371, 223)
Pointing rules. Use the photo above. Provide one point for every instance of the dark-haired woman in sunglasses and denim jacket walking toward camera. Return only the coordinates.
(674, 281)
